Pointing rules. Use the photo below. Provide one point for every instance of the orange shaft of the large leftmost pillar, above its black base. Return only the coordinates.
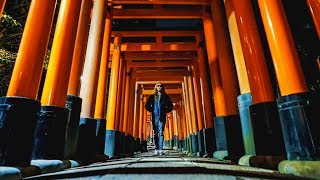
(33, 46)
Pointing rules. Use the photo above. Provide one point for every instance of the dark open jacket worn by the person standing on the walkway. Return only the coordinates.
(165, 106)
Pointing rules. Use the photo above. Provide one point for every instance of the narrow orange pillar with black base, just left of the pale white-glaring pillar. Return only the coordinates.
(73, 100)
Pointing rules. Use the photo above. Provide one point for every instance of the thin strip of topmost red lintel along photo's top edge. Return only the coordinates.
(182, 2)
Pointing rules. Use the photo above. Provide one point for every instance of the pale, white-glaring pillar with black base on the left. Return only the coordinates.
(90, 77)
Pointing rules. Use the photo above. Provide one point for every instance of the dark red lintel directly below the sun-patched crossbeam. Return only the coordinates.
(128, 56)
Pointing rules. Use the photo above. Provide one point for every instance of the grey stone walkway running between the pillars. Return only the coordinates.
(171, 165)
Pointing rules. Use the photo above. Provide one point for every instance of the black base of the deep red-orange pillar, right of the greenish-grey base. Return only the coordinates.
(267, 129)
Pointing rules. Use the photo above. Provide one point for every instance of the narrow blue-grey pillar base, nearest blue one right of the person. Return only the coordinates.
(220, 133)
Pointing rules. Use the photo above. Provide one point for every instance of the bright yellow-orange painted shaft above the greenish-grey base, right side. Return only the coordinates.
(237, 49)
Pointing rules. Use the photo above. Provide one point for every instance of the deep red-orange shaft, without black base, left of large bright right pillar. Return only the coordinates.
(258, 75)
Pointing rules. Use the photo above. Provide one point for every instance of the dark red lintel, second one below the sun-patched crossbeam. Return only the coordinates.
(160, 64)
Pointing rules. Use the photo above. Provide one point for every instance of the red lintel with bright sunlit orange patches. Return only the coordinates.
(156, 47)
